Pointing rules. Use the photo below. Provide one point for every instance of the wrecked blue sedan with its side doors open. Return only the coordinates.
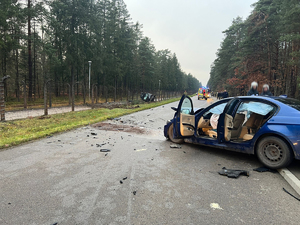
(268, 127)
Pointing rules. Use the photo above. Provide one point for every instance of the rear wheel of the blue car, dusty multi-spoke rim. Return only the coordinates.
(274, 153)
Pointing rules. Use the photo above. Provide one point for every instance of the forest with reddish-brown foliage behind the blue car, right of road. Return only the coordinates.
(265, 48)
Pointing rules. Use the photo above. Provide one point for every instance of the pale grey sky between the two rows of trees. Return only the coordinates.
(190, 28)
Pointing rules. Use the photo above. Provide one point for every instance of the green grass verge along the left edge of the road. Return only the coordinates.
(19, 131)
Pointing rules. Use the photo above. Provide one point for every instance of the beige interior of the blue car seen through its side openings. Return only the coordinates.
(248, 119)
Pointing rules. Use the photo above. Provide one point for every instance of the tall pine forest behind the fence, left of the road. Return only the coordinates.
(50, 42)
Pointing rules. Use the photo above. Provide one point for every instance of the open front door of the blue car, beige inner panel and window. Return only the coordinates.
(184, 123)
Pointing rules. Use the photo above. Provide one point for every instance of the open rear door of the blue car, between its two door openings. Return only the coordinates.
(225, 122)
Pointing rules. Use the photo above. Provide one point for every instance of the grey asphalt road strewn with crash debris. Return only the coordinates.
(65, 179)
